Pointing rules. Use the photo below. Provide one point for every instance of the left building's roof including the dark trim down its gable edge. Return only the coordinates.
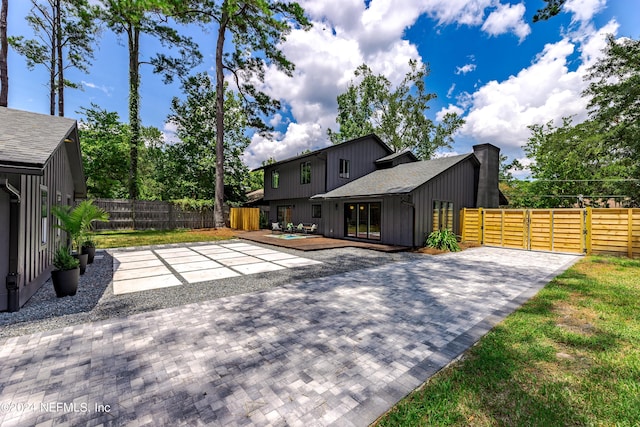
(28, 140)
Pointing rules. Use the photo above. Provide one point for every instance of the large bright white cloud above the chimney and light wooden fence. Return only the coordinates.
(501, 111)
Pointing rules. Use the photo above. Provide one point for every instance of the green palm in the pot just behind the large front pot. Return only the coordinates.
(77, 223)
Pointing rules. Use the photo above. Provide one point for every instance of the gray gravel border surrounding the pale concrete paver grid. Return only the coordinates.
(95, 300)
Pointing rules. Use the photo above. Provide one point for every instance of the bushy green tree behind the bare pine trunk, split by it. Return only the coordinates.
(195, 118)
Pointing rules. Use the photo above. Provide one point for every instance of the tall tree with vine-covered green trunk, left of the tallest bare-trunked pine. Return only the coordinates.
(144, 17)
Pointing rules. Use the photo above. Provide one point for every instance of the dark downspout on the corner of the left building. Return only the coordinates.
(13, 279)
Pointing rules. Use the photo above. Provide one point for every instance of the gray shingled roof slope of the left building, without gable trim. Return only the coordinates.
(29, 138)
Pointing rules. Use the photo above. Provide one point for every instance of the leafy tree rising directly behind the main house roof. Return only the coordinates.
(396, 115)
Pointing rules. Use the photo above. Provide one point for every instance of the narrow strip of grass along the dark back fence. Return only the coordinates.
(125, 238)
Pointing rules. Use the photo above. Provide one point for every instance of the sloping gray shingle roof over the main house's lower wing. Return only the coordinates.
(401, 179)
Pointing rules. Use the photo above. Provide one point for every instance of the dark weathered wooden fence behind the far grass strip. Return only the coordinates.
(147, 214)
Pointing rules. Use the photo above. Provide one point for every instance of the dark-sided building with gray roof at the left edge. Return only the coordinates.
(40, 165)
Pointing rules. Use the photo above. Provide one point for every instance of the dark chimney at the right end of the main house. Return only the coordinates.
(488, 195)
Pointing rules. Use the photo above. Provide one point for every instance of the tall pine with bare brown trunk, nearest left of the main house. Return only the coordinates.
(257, 29)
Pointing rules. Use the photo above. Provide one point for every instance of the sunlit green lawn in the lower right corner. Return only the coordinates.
(570, 356)
